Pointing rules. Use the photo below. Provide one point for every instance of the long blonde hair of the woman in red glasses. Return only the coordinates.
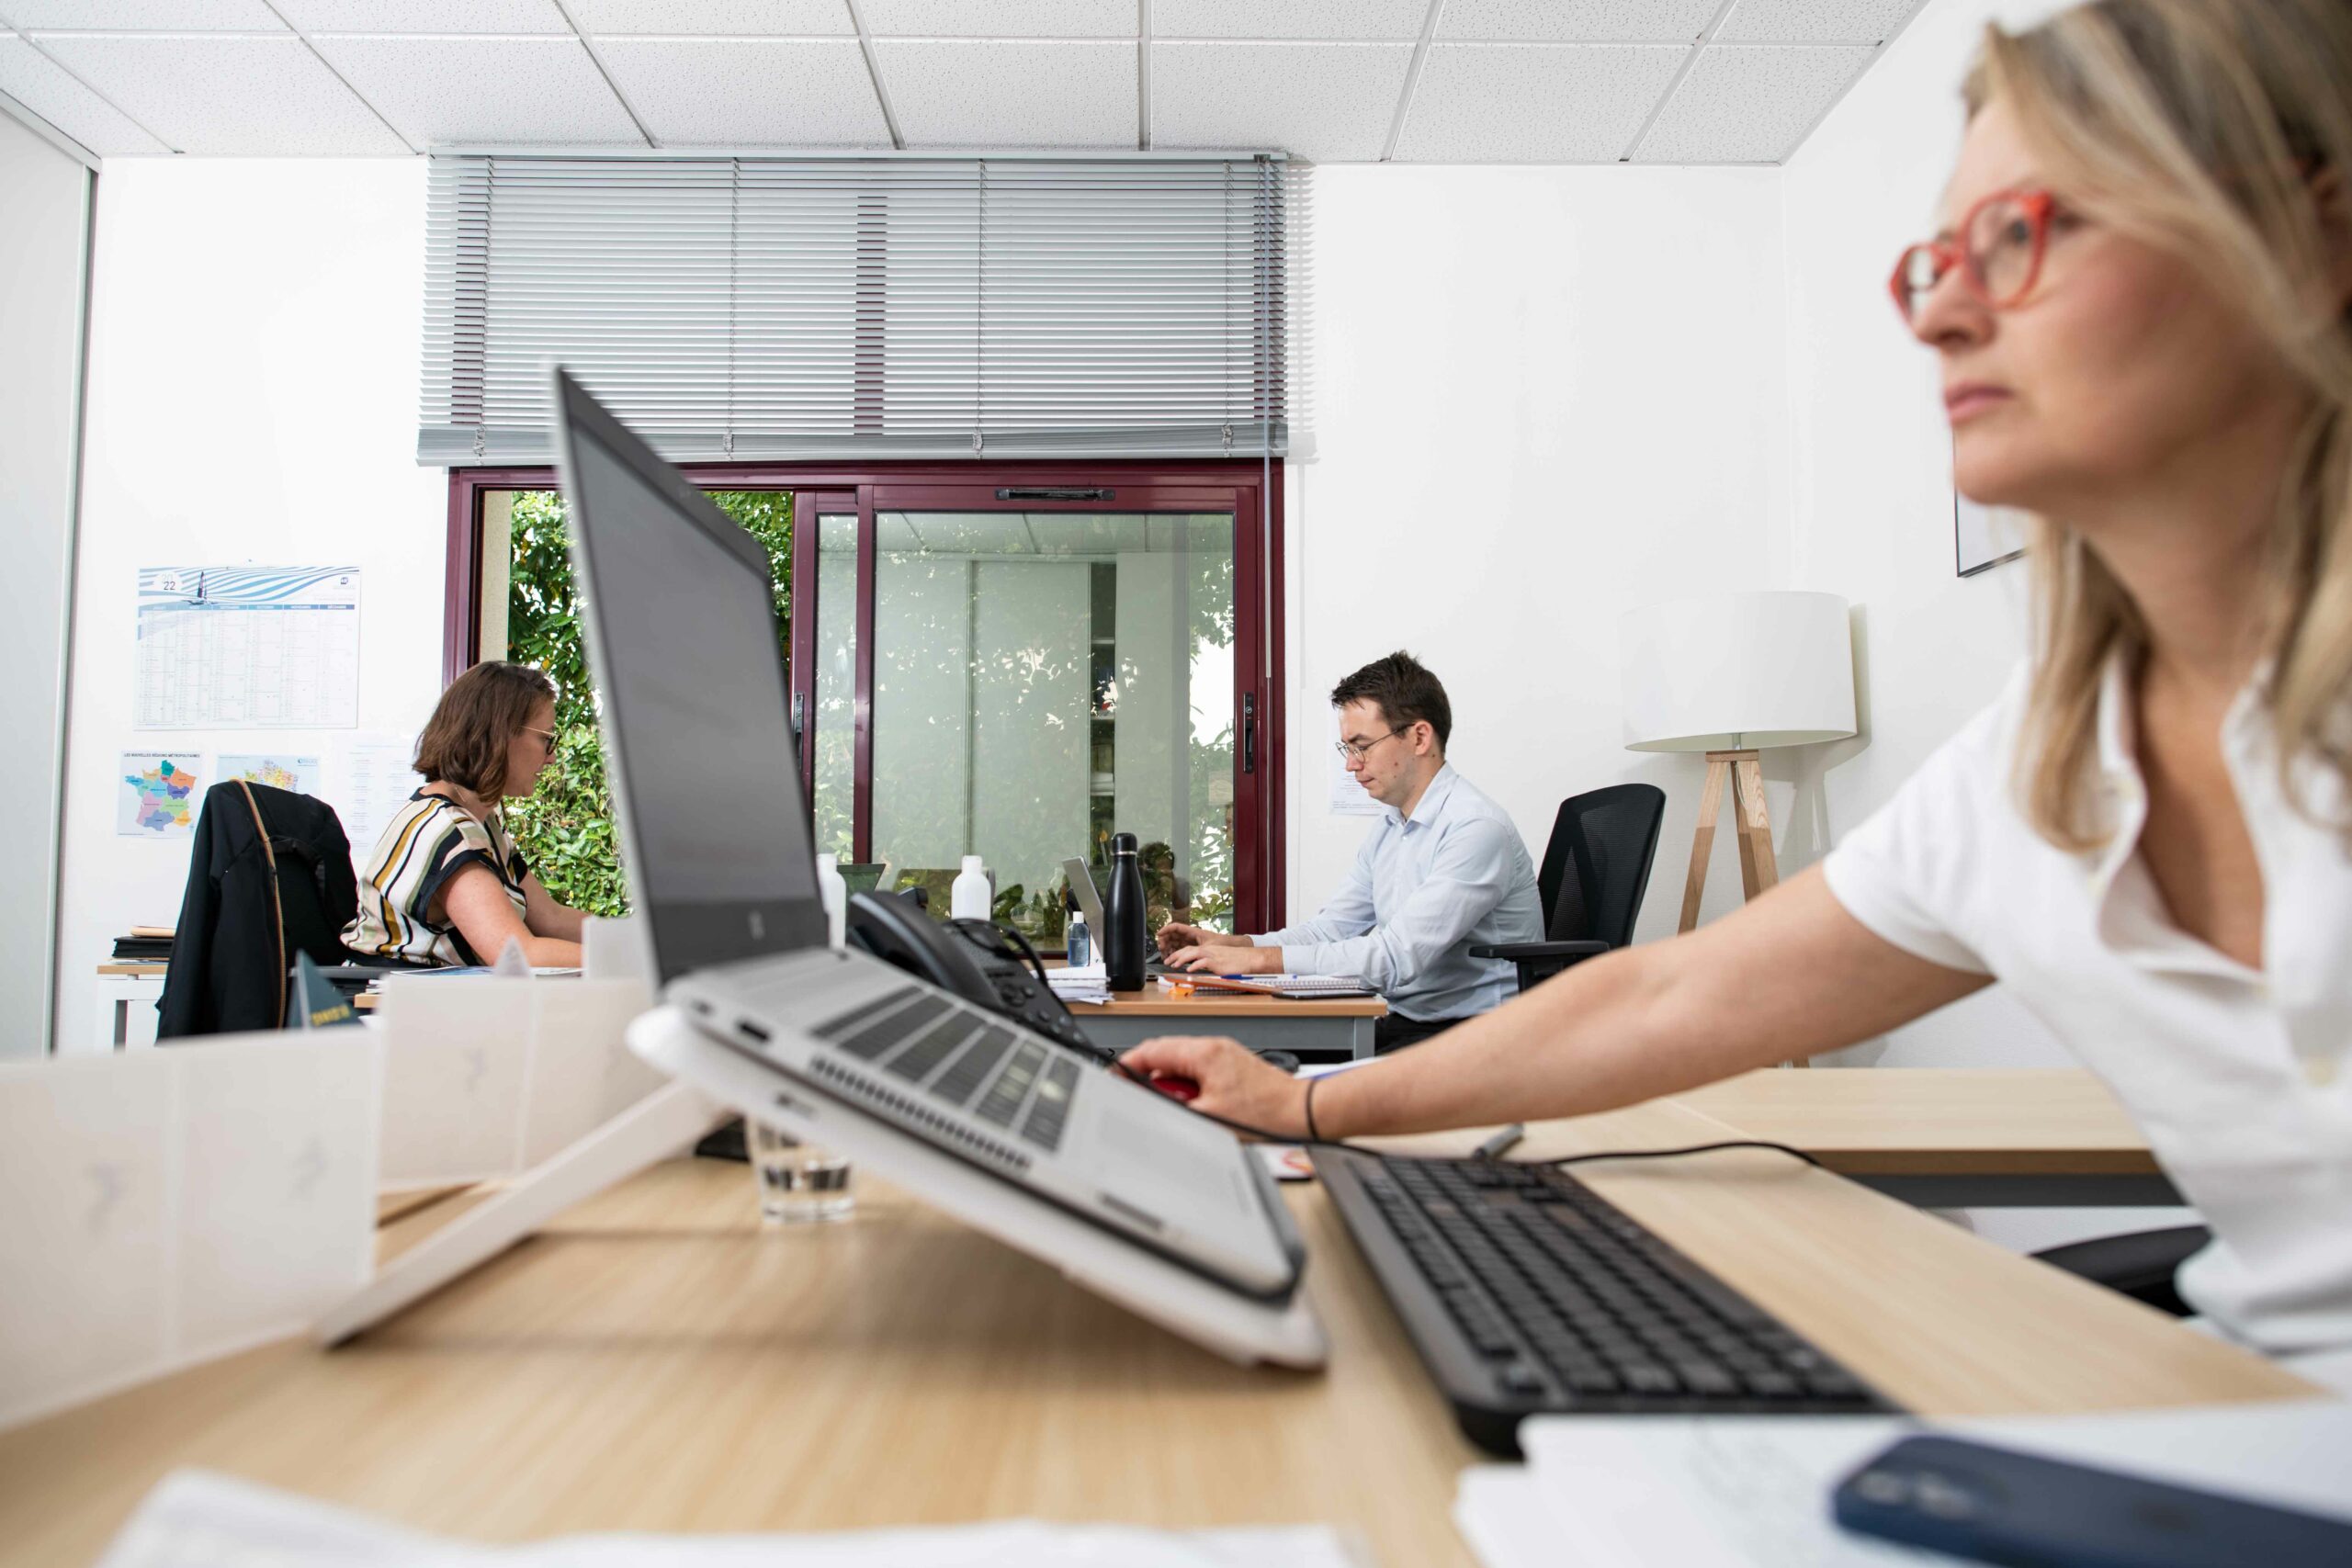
(2219, 130)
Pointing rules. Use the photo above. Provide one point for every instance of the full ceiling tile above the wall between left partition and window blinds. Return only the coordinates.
(236, 98)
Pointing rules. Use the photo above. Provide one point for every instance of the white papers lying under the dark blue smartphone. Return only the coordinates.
(1753, 1492)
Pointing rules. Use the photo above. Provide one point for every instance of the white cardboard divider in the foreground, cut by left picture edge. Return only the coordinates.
(171, 1207)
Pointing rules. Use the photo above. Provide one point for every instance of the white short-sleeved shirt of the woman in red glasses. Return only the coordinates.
(2236, 1076)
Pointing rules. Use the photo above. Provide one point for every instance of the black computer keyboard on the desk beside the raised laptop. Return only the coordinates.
(1530, 1294)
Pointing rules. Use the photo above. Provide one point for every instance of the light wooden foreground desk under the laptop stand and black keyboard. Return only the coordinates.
(655, 1362)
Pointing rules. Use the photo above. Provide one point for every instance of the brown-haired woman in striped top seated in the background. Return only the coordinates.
(446, 883)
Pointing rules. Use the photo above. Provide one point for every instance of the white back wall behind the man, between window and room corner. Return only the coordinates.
(1539, 398)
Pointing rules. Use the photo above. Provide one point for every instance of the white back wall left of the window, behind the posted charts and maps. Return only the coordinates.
(253, 398)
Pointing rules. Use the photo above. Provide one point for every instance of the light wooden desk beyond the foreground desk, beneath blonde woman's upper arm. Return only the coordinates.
(1953, 1139)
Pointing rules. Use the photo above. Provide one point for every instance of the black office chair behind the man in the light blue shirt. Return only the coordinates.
(1593, 876)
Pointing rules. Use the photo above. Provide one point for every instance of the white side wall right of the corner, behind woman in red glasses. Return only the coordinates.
(1871, 497)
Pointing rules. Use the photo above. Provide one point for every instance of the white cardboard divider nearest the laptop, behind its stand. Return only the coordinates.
(488, 1078)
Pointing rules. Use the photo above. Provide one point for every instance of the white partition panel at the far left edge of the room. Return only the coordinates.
(44, 307)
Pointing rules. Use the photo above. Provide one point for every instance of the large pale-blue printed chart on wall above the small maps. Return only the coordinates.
(248, 648)
